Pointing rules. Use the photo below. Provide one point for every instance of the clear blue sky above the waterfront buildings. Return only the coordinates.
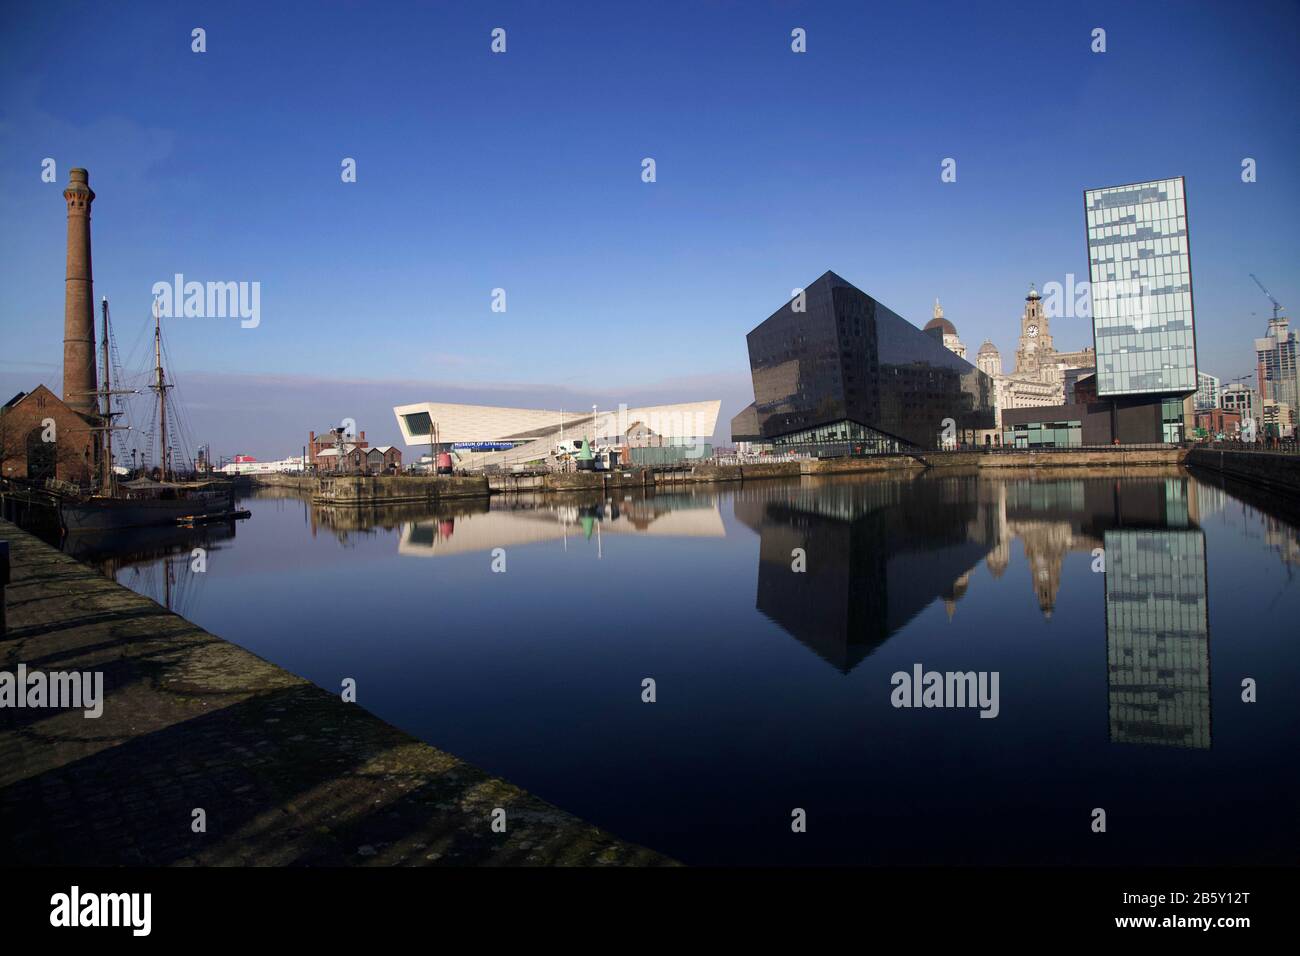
(523, 171)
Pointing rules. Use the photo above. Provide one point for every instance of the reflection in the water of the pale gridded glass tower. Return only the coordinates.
(1158, 638)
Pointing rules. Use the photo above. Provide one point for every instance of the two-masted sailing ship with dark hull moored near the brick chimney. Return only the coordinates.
(142, 501)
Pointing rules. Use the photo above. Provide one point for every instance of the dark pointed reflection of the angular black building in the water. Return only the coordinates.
(877, 555)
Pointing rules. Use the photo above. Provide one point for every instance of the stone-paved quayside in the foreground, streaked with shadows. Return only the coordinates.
(288, 773)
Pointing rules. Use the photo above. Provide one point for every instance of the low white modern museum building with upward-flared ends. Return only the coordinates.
(482, 434)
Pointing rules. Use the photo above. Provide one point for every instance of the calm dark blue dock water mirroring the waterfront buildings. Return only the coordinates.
(518, 634)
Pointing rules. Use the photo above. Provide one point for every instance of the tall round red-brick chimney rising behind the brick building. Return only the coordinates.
(79, 300)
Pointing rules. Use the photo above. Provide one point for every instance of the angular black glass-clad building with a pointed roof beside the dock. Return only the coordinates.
(840, 371)
